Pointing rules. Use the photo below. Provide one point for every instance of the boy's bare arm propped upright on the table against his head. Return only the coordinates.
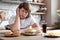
(16, 25)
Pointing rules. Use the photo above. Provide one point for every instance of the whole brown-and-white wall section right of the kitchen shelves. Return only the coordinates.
(52, 6)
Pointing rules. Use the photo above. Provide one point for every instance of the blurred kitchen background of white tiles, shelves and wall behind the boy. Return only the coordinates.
(40, 9)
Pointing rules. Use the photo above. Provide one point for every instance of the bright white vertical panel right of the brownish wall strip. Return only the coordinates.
(54, 7)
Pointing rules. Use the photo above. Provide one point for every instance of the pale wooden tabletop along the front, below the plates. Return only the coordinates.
(22, 37)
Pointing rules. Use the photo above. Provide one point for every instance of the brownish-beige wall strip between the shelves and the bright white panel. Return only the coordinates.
(48, 15)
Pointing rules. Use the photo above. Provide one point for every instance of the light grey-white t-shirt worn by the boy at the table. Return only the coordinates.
(24, 22)
